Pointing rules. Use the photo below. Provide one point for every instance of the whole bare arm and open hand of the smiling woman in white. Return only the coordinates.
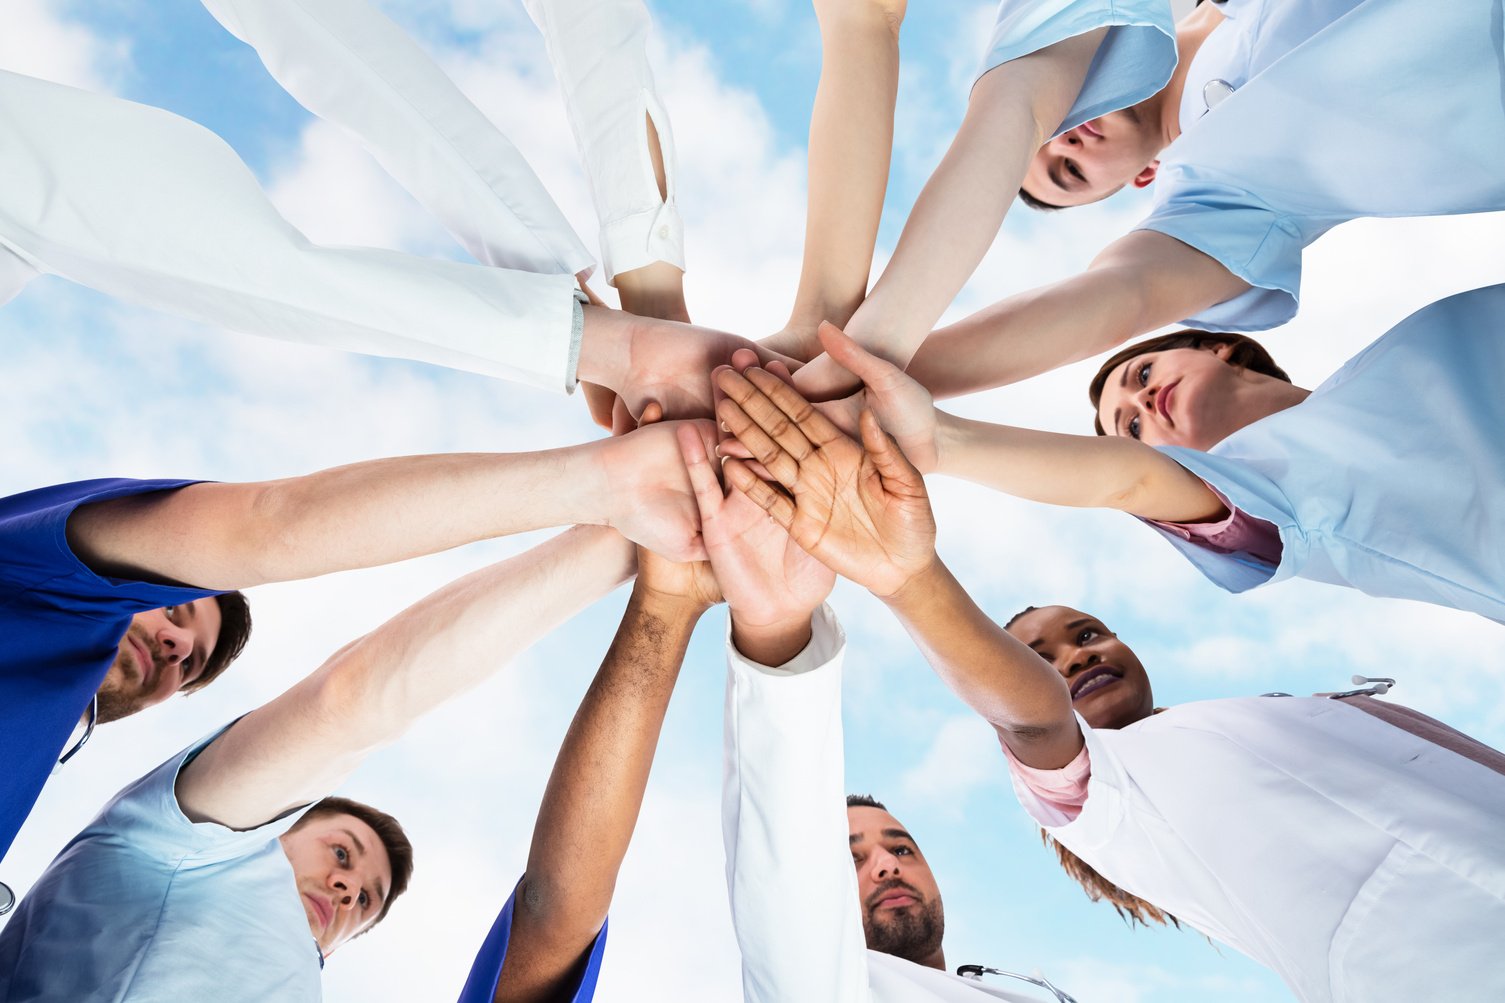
(863, 511)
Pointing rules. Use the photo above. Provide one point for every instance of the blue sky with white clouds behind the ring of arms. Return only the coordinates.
(96, 388)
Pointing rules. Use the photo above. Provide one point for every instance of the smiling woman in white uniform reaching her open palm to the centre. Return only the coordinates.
(1352, 849)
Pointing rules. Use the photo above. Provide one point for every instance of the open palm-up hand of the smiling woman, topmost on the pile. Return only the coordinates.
(860, 508)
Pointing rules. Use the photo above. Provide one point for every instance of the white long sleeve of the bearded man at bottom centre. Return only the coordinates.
(783, 816)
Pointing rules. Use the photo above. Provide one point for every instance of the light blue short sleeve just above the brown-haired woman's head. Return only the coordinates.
(1244, 236)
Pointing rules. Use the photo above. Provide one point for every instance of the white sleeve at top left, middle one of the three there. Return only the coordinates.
(353, 67)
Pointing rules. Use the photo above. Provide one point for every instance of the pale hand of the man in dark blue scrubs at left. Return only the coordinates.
(649, 498)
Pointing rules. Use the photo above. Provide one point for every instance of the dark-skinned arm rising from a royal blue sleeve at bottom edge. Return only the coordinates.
(595, 793)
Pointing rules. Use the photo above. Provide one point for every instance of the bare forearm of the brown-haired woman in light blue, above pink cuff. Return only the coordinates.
(1074, 471)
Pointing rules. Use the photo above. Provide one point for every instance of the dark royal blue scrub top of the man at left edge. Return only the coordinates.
(61, 626)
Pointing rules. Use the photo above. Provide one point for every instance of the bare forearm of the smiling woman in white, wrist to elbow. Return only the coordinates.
(1012, 687)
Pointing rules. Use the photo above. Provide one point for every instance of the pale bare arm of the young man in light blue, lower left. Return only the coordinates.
(303, 745)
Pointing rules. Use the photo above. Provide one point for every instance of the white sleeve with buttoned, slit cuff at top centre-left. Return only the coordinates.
(600, 55)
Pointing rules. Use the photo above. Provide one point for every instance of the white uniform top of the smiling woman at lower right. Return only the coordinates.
(1357, 861)
